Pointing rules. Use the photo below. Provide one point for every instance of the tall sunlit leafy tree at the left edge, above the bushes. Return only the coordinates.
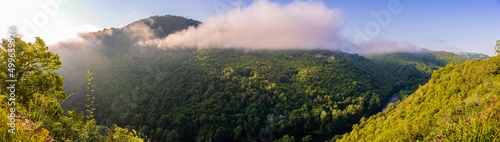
(35, 71)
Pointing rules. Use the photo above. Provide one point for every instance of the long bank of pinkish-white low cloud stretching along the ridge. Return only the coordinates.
(263, 25)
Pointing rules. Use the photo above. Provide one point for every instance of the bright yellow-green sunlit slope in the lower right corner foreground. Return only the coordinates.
(459, 103)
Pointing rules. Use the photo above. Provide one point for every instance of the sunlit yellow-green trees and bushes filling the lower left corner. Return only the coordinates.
(38, 92)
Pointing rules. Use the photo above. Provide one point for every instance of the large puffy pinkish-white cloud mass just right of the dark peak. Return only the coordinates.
(263, 25)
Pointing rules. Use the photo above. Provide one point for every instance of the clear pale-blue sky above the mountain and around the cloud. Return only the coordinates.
(449, 25)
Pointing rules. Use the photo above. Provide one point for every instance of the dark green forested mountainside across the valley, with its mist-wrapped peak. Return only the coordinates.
(230, 94)
